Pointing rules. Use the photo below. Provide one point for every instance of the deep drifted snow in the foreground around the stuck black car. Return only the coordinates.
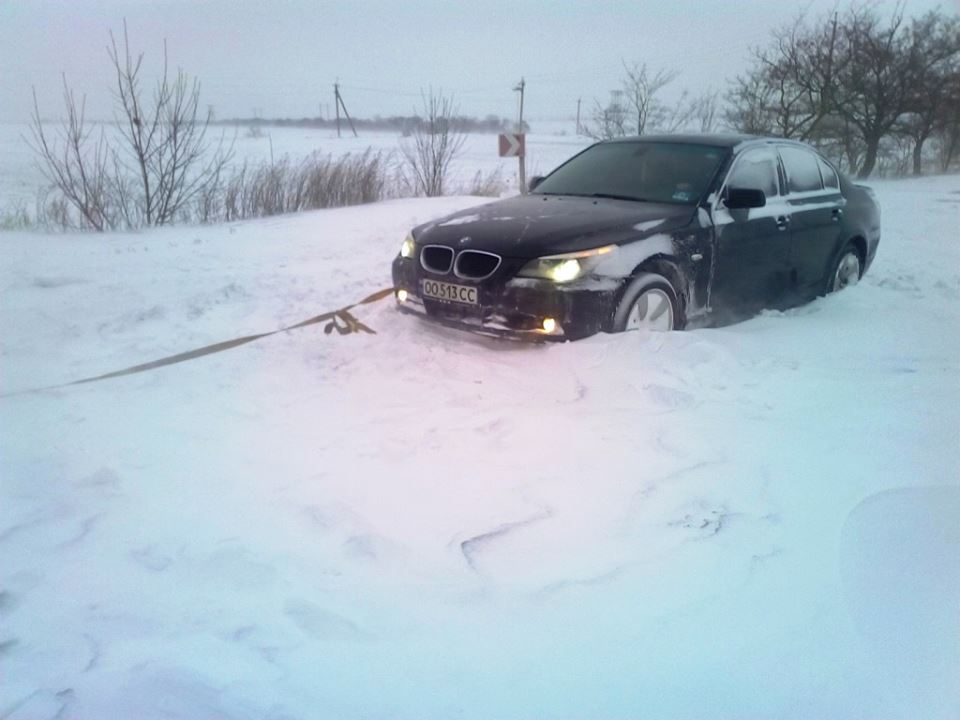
(759, 521)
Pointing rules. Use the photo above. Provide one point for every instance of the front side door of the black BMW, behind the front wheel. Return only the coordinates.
(753, 246)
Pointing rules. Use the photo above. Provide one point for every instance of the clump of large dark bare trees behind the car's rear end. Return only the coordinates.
(856, 84)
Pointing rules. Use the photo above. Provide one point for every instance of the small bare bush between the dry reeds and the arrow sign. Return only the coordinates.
(434, 144)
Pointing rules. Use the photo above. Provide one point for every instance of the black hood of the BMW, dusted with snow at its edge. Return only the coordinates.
(530, 226)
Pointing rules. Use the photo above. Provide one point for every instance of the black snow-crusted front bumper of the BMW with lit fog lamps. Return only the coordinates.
(514, 308)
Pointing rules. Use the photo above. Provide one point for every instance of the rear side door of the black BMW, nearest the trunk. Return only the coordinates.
(816, 212)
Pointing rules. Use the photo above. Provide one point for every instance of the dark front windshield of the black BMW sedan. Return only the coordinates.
(652, 171)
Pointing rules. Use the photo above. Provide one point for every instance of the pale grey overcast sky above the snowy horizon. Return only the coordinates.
(281, 57)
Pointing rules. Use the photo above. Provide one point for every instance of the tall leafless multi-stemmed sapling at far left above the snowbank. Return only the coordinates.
(156, 164)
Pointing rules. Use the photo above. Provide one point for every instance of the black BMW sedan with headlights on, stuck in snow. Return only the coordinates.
(655, 232)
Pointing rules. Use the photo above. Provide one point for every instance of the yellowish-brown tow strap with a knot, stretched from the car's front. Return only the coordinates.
(342, 321)
